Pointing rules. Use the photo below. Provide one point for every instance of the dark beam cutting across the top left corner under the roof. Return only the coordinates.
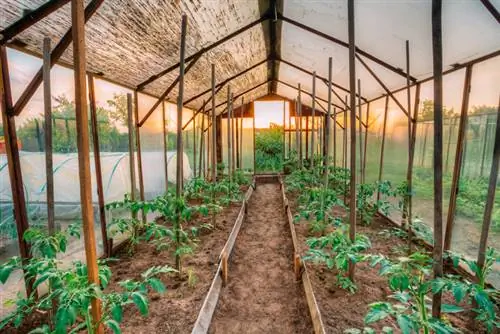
(30, 19)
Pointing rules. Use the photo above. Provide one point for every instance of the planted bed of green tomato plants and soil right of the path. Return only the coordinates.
(381, 281)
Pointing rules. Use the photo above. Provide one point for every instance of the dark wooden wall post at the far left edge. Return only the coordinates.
(13, 163)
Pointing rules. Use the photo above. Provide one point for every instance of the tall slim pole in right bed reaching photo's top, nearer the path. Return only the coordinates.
(352, 87)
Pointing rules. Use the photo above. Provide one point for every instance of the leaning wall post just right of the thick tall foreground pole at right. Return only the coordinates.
(457, 168)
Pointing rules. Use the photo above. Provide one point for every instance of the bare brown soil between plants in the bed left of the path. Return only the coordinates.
(177, 309)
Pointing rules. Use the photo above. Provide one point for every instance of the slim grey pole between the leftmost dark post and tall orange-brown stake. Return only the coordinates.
(47, 102)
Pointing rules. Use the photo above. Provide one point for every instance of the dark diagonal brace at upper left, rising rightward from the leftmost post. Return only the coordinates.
(56, 54)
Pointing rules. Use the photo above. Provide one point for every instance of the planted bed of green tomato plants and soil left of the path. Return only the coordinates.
(162, 270)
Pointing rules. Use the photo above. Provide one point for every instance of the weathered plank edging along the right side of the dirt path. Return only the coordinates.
(317, 321)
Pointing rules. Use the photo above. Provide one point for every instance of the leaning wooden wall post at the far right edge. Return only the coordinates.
(490, 198)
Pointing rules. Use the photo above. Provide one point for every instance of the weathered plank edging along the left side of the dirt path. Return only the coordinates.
(207, 310)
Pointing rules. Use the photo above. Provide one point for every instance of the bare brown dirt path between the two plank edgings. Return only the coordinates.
(262, 295)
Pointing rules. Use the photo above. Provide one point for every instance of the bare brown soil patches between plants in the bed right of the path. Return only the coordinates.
(341, 310)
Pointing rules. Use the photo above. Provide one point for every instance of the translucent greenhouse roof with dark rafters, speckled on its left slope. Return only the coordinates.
(265, 46)
